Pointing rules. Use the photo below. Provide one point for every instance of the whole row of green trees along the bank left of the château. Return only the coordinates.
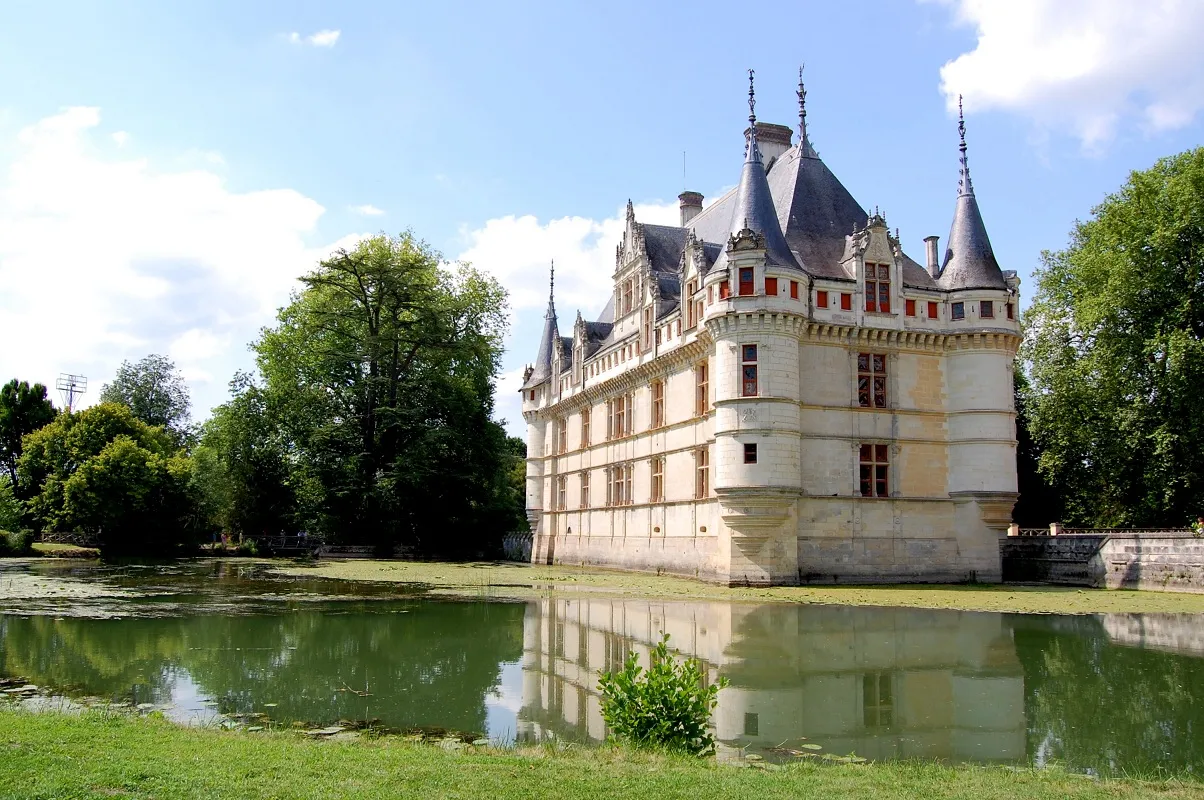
(368, 421)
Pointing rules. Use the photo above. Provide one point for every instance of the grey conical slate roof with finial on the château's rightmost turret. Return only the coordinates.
(970, 262)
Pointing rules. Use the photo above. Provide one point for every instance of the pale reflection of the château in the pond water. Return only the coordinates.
(877, 683)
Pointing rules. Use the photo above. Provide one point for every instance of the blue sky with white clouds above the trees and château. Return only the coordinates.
(168, 170)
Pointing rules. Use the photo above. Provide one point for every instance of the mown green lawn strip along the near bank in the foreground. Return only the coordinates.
(105, 755)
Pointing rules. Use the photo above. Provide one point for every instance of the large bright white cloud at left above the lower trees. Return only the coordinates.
(104, 261)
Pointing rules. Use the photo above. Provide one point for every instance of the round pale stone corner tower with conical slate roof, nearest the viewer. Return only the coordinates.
(758, 469)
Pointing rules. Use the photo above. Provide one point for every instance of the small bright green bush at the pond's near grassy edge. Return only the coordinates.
(668, 707)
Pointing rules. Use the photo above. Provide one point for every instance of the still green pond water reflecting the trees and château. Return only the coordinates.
(211, 639)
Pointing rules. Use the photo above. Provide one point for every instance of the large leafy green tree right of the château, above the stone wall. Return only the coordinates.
(1116, 350)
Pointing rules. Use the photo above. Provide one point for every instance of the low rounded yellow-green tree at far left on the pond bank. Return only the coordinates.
(105, 472)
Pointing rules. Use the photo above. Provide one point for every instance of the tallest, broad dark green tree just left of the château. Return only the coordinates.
(380, 383)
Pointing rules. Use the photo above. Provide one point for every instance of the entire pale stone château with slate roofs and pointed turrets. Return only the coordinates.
(776, 393)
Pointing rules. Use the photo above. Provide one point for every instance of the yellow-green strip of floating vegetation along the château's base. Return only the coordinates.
(510, 580)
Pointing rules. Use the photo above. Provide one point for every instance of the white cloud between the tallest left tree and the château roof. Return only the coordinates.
(518, 250)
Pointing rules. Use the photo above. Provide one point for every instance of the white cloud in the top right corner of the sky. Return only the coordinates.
(1082, 66)
